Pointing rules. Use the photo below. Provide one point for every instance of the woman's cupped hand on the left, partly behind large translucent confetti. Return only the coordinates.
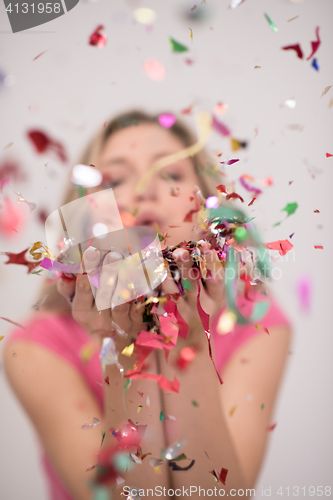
(78, 293)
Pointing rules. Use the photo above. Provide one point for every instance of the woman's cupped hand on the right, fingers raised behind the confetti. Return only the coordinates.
(212, 296)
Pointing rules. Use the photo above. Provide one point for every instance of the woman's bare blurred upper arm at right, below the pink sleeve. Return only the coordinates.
(252, 378)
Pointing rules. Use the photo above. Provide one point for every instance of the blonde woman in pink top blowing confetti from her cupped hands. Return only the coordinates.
(63, 388)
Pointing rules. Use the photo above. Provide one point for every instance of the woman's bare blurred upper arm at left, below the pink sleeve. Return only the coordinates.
(58, 402)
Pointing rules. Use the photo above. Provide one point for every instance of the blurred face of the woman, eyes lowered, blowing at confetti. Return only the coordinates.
(167, 196)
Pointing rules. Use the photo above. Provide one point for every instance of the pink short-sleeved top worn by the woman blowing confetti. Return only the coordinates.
(64, 336)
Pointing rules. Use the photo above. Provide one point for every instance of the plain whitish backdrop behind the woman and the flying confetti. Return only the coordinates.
(73, 88)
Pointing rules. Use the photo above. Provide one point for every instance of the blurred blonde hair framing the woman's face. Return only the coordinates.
(203, 165)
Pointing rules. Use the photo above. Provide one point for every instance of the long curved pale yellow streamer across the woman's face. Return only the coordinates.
(204, 122)
